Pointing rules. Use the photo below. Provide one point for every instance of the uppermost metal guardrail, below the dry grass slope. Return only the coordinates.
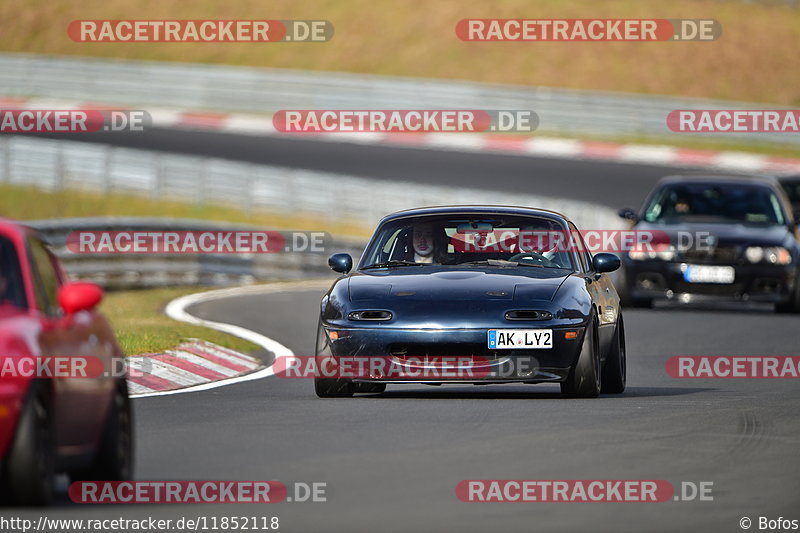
(242, 89)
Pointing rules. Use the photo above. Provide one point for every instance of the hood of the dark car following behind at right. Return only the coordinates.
(723, 233)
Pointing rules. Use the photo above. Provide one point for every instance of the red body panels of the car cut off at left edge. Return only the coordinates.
(81, 405)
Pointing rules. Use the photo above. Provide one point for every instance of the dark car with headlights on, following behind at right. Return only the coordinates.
(732, 238)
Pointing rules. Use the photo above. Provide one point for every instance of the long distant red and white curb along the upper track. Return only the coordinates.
(531, 146)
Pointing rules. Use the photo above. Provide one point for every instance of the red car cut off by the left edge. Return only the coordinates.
(79, 424)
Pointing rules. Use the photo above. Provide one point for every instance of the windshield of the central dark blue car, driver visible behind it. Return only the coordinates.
(469, 241)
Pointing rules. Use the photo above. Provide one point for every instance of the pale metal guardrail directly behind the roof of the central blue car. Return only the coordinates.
(53, 165)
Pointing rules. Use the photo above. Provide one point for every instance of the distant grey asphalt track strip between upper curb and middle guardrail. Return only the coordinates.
(615, 185)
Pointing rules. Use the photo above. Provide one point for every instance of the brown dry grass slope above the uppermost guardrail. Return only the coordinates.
(755, 59)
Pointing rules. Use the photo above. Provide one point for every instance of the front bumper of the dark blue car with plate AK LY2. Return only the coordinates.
(401, 355)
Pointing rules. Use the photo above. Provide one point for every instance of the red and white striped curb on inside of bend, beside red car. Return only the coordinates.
(191, 363)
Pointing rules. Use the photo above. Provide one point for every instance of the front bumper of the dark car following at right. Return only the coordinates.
(757, 283)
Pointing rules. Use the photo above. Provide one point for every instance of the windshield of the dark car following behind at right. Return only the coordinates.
(723, 202)
